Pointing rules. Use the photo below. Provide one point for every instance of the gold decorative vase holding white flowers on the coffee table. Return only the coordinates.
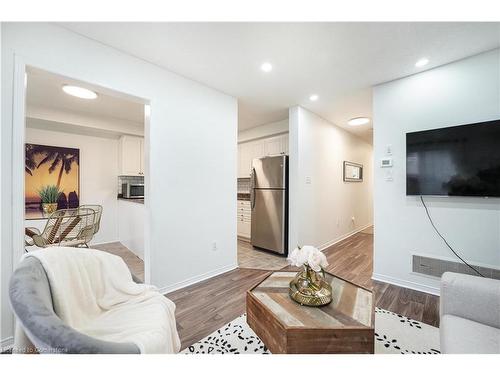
(310, 288)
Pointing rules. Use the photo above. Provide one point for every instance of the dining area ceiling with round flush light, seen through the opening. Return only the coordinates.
(44, 90)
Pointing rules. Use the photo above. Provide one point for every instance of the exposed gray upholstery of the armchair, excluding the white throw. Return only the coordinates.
(31, 301)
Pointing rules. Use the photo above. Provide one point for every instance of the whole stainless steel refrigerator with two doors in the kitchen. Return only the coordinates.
(269, 203)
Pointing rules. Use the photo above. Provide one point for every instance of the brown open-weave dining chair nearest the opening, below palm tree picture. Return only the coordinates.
(69, 227)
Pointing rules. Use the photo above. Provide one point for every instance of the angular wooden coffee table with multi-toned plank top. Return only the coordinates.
(346, 325)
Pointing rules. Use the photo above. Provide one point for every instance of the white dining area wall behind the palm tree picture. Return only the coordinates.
(98, 173)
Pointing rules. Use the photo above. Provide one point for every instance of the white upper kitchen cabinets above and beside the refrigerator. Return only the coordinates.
(248, 151)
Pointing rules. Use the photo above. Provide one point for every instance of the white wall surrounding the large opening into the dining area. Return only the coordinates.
(192, 140)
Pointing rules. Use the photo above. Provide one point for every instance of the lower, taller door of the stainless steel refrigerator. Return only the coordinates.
(268, 220)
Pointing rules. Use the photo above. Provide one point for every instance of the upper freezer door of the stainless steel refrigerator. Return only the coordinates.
(269, 172)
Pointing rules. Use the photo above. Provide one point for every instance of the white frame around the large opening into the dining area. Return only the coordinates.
(18, 146)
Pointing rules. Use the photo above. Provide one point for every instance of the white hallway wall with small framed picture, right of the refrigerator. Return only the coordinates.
(322, 209)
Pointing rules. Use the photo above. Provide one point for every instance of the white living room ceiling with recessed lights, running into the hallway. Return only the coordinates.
(338, 61)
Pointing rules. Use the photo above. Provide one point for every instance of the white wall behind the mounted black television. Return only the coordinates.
(463, 92)
